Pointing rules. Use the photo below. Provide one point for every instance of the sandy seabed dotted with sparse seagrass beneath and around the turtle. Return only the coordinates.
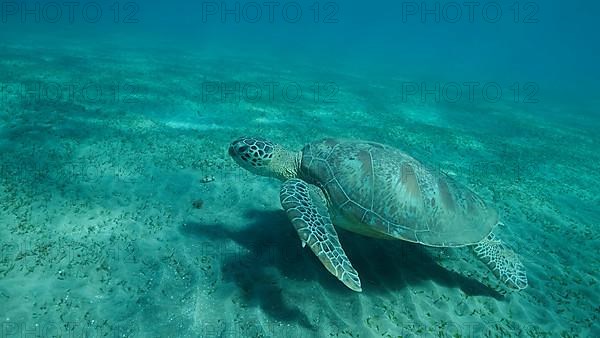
(108, 225)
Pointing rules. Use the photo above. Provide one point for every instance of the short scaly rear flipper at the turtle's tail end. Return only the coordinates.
(502, 261)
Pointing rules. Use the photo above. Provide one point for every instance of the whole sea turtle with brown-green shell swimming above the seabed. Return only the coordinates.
(378, 191)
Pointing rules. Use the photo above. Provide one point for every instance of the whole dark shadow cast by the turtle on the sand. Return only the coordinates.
(270, 242)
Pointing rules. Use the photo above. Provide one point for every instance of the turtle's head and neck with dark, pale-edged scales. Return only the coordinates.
(263, 157)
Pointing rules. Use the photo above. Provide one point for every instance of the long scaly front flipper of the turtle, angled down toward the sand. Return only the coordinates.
(307, 210)
